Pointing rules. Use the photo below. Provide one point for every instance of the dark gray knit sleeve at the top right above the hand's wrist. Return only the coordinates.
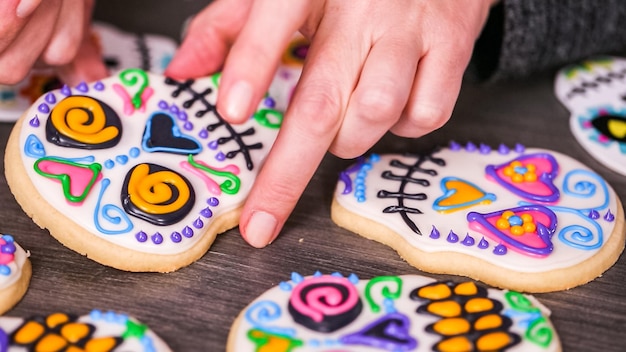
(526, 36)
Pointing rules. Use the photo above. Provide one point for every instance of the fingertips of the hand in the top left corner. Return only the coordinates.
(49, 33)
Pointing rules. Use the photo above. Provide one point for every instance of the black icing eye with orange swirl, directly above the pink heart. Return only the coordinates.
(83, 122)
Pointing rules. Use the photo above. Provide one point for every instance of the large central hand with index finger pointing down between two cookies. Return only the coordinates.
(372, 66)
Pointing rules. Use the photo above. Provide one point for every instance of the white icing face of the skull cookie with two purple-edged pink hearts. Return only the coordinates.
(584, 205)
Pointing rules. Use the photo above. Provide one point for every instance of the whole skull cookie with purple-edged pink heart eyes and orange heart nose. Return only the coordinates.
(529, 220)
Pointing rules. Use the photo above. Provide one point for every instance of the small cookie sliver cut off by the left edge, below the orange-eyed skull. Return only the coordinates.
(15, 272)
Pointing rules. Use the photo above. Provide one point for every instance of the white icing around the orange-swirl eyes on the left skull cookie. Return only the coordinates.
(189, 104)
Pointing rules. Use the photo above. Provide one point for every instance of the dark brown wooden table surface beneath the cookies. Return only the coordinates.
(193, 308)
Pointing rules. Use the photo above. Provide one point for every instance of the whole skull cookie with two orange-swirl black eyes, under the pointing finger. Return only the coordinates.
(138, 171)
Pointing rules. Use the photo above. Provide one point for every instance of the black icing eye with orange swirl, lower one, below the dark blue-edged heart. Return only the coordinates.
(157, 194)
